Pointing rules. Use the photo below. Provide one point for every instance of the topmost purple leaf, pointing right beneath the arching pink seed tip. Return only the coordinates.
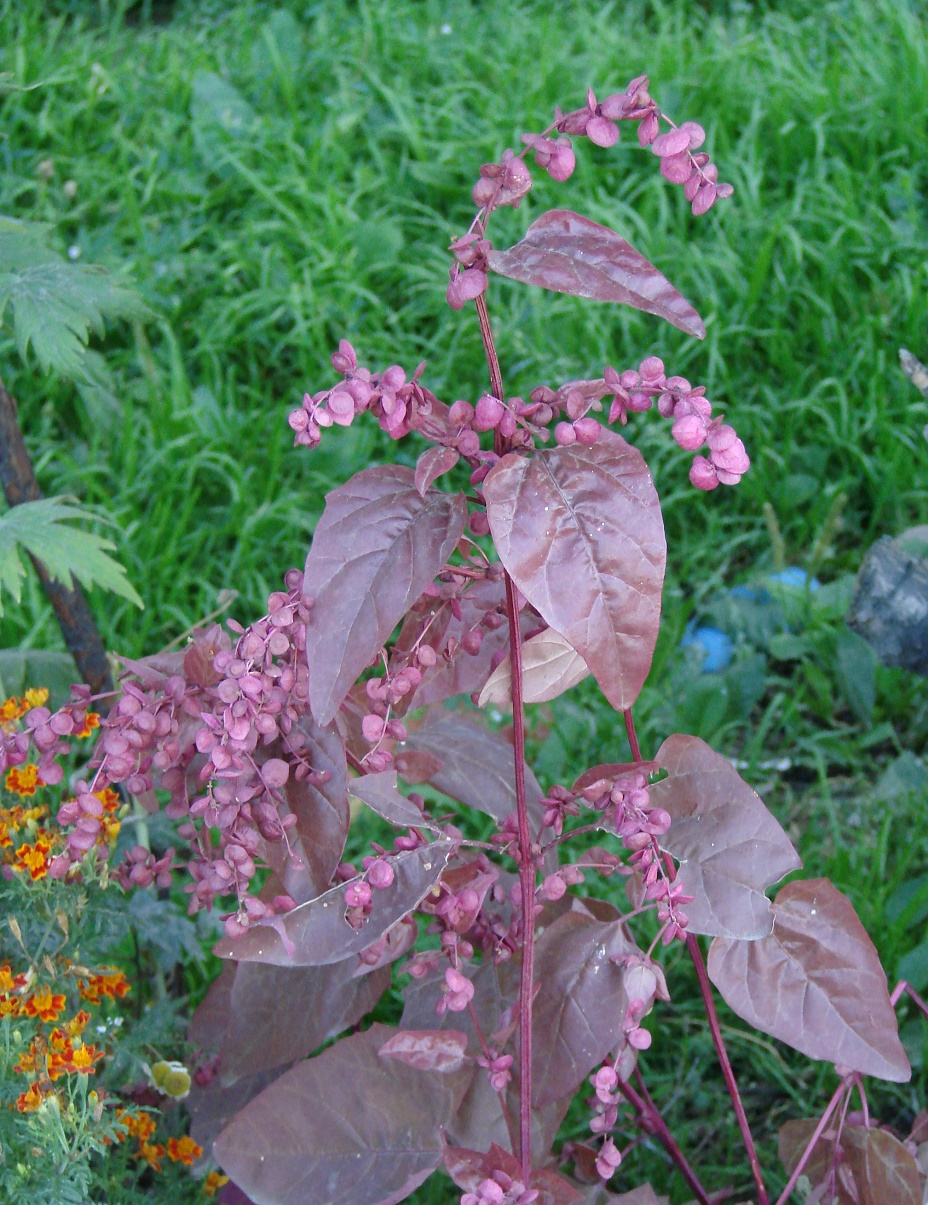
(568, 254)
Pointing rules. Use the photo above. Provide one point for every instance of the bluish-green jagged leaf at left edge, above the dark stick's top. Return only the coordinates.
(57, 305)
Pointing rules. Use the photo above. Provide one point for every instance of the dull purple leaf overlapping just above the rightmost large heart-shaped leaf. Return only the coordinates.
(730, 847)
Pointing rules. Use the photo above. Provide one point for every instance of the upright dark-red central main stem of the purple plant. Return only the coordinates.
(527, 867)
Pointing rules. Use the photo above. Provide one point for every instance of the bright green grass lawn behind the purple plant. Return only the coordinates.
(326, 214)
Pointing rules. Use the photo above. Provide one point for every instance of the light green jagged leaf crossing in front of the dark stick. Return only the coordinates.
(66, 551)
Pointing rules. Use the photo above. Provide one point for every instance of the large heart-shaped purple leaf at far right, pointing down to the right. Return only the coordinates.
(815, 983)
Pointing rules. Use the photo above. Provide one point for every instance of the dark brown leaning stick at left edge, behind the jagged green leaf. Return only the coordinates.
(71, 607)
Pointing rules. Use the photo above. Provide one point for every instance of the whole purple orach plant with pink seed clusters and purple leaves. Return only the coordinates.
(542, 566)
